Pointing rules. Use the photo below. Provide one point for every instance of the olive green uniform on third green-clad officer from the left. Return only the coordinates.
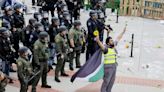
(62, 48)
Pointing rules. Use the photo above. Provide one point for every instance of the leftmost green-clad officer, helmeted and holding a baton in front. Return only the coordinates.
(25, 71)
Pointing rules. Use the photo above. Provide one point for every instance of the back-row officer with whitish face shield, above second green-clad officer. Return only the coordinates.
(45, 21)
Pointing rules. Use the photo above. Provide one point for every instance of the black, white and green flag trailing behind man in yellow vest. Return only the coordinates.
(92, 70)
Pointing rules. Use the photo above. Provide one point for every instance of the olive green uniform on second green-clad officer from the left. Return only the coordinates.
(41, 55)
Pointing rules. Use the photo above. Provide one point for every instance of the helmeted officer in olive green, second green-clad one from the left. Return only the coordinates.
(41, 56)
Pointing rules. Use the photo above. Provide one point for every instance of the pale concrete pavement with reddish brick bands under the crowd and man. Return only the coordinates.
(142, 73)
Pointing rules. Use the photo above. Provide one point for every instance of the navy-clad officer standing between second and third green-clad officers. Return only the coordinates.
(53, 31)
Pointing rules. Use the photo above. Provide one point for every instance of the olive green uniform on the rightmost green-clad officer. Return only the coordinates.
(78, 38)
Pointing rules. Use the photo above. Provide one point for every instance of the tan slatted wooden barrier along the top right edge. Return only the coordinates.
(144, 8)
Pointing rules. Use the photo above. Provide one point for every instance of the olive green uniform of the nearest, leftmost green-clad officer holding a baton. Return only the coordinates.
(25, 72)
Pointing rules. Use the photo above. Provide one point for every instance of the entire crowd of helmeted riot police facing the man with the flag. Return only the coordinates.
(63, 38)
